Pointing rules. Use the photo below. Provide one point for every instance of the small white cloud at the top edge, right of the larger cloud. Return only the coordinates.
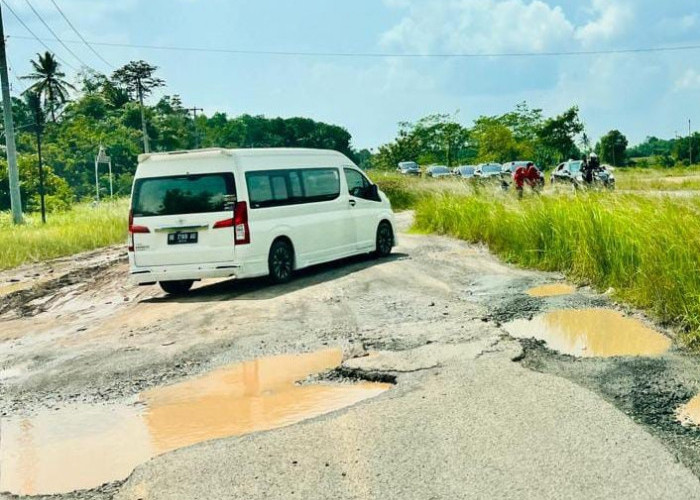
(613, 19)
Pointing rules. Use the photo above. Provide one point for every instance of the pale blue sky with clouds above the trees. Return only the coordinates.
(640, 94)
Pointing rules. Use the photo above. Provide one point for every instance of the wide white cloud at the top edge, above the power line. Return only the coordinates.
(478, 26)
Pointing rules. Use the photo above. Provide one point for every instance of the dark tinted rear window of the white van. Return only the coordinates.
(184, 194)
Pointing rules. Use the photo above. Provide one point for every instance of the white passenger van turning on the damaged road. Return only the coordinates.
(245, 213)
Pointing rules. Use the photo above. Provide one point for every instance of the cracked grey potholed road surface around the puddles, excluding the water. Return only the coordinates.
(474, 413)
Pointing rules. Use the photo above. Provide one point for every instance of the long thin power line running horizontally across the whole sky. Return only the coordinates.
(387, 54)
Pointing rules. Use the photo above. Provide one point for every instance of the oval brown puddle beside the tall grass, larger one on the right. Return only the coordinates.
(592, 333)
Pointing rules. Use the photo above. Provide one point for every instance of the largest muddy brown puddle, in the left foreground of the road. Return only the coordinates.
(85, 446)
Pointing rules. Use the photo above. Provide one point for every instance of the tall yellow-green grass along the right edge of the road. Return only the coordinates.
(647, 249)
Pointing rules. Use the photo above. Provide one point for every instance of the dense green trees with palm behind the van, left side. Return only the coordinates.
(113, 111)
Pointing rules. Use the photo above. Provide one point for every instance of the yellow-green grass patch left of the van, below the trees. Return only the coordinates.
(82, 228)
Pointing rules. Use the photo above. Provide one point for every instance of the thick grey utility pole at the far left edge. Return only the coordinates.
(15, 196)
